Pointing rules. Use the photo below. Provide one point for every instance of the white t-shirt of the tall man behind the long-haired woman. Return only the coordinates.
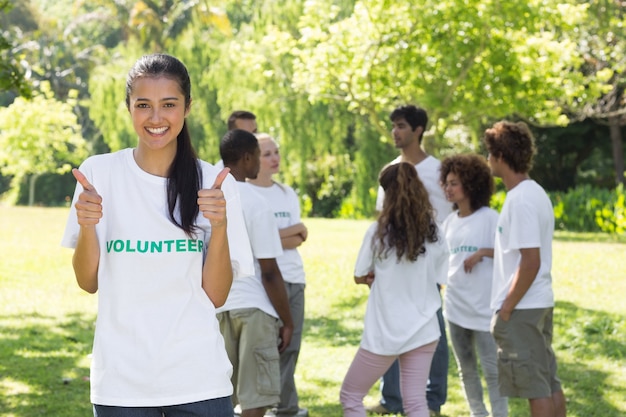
(428, 172)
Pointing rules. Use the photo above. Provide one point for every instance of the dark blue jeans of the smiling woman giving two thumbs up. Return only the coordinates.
(217, 407)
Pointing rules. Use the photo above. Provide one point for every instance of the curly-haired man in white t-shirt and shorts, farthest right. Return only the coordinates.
(521, 294)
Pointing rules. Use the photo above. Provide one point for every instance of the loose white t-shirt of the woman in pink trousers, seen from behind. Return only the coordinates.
(401, 312)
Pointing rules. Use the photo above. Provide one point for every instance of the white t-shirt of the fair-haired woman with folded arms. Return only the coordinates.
(284, 202)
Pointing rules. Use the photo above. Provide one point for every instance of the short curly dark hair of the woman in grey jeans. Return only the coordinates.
(474, 175)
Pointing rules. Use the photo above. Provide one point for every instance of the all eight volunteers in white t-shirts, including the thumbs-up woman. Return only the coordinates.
(201, 287)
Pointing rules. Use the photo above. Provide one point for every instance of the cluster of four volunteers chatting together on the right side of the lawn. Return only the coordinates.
(435, 228)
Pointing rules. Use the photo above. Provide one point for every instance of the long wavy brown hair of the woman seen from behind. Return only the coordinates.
(406, 221)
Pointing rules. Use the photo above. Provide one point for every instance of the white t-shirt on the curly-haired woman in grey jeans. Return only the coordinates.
(468, 295)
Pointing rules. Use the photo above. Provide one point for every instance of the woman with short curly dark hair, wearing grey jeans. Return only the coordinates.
(470, 234)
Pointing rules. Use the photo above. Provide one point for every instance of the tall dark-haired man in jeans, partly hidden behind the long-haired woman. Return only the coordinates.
(409, 123)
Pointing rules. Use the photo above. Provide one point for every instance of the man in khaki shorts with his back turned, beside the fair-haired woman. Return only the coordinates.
(255, 320)
